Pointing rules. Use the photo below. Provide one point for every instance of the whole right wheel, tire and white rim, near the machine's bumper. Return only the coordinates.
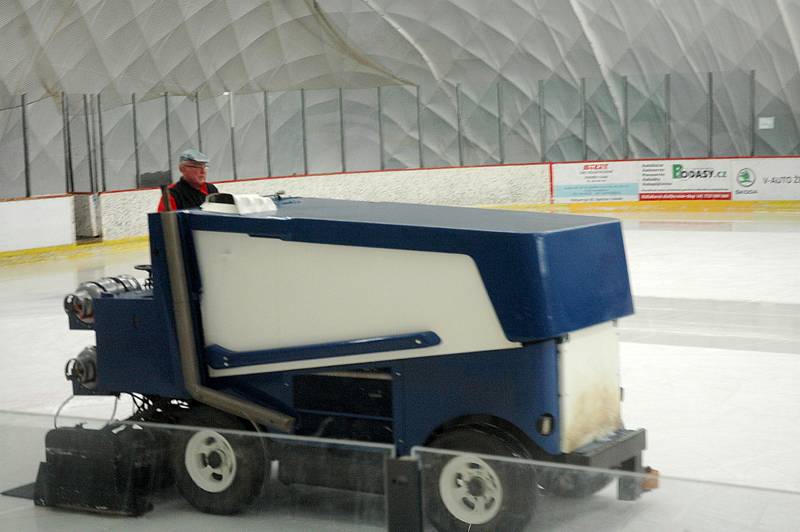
(467, 492)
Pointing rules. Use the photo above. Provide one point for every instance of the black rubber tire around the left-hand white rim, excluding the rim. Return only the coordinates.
(248, 453)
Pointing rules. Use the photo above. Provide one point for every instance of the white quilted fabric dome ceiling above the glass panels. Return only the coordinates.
(148, 47)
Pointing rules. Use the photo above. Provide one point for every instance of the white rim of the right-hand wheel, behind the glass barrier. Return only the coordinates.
(470, 490)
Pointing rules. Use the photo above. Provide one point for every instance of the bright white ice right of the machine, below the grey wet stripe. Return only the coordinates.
(716, 414)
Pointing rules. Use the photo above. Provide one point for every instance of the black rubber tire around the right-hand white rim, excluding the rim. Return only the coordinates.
(518, 481)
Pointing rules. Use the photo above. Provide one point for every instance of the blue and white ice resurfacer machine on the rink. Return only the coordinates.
(482, 331)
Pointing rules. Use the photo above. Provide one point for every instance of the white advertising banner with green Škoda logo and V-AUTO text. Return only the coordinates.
(765, 179)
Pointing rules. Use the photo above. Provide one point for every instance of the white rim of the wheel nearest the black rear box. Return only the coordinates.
(210, 461)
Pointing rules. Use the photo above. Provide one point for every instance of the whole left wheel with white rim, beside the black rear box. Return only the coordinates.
(217, 472)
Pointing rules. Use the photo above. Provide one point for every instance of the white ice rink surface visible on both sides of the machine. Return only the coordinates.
(710, 360)
